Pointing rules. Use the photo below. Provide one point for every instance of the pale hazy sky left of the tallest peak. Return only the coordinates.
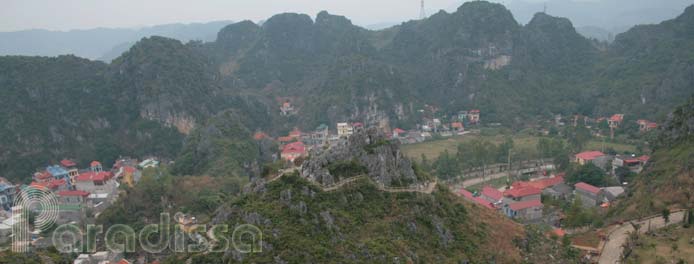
(80, 14)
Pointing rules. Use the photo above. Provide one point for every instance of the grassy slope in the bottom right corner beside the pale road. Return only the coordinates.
(669, 245)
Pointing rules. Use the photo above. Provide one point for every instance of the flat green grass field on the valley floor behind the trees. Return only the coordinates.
(527, 145)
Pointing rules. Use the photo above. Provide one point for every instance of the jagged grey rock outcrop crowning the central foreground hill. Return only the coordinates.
(367, 149)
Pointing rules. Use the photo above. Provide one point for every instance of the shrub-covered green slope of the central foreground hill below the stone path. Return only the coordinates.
(359, 223)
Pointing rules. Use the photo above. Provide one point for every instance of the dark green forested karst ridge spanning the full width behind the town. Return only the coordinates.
(149, 99)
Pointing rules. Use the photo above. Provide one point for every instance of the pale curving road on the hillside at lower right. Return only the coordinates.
(612, 251)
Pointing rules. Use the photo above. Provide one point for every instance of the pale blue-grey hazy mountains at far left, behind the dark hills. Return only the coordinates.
(103, 44)
